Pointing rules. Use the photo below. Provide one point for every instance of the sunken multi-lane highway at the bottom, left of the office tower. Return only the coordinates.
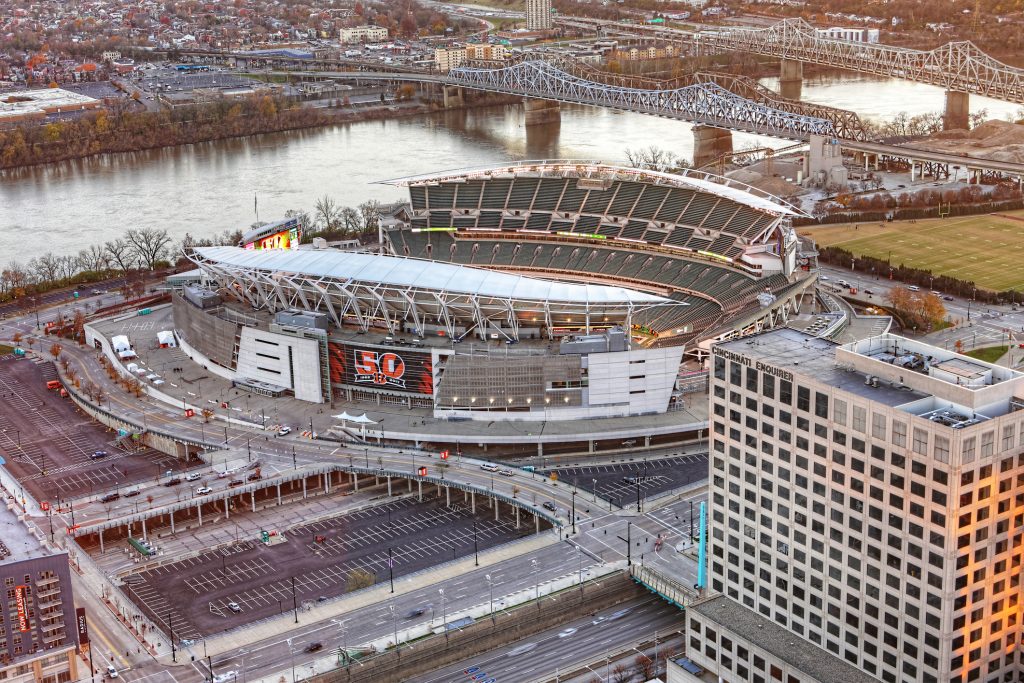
(566, 648)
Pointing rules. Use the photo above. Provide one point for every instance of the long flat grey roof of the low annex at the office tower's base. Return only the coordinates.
(779, 643)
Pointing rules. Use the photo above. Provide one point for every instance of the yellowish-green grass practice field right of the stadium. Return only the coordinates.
(988, 249)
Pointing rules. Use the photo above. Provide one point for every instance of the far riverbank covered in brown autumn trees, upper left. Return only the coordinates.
(110, 133)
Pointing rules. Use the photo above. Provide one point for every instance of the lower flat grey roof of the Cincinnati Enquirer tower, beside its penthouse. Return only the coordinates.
(805, 355)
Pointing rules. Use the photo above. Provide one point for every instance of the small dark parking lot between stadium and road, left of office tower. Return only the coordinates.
(619, 483)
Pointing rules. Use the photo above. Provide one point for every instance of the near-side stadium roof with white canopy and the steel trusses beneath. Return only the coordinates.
(398, 293)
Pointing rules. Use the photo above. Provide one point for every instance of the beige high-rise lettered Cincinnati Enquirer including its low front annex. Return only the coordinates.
(868, 499)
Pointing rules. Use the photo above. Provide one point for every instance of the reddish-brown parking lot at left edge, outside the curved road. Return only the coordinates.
(49, 444)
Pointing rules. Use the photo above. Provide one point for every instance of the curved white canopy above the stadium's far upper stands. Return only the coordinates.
(693, 180)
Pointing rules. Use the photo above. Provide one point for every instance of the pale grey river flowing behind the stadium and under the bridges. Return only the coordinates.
(208, 189)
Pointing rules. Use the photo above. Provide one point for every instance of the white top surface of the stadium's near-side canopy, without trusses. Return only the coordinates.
(411, 273)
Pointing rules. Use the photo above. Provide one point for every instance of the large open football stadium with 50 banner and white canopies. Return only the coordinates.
(539, 291)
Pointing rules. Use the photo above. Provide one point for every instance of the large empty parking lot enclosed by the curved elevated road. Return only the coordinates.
(248, 581)
